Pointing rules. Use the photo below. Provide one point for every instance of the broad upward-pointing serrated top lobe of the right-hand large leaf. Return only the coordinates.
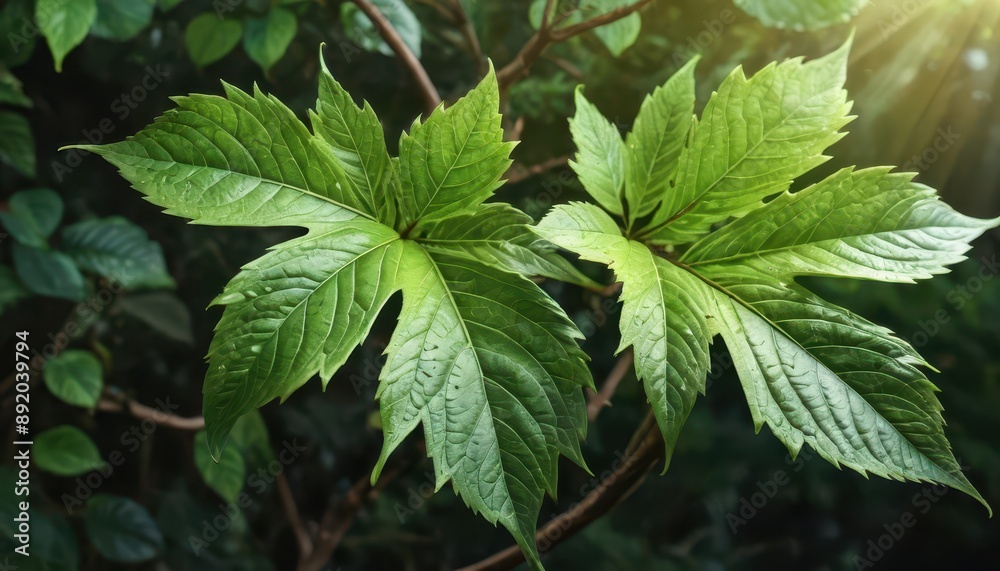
(773, 128)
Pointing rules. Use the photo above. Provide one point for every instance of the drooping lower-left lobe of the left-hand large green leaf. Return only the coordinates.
(297, 311)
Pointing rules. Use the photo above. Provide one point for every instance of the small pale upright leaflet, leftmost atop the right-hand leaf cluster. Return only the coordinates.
(600, 157)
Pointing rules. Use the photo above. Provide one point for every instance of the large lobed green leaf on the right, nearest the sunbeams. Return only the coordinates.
(816, 373)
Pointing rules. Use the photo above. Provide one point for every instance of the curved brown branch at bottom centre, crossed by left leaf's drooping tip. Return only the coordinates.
(609, 493)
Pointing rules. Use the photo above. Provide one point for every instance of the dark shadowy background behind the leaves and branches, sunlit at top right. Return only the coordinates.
(912, 79)
